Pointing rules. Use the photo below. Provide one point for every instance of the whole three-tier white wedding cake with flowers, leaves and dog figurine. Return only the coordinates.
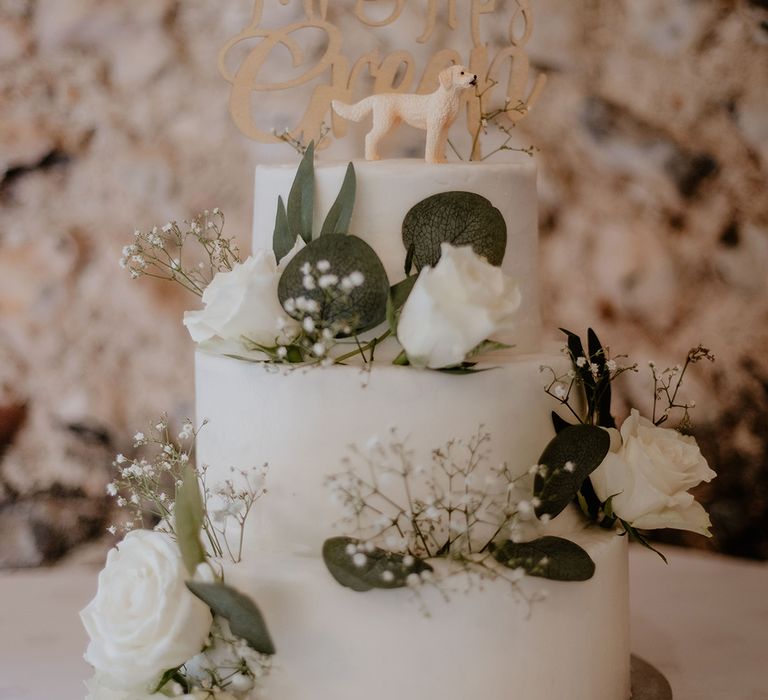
(400, 486)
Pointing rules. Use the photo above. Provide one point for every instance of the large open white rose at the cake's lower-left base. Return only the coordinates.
(143, 619)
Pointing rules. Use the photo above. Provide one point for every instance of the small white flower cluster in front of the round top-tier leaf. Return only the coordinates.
(319, 335)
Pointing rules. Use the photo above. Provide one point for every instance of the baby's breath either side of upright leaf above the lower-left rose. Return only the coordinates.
(146, 487)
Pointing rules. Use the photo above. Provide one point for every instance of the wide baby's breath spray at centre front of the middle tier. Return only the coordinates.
(465, 504)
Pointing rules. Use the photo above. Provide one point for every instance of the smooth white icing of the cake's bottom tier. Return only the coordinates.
(470, 639)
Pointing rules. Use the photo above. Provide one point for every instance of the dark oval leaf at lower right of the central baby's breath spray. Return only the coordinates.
(549, 557)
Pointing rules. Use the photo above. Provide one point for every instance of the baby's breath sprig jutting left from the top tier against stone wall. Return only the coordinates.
(163, 252)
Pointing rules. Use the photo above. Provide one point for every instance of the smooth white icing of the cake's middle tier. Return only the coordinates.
(303, 422)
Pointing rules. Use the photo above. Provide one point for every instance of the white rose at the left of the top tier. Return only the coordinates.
(243, 302)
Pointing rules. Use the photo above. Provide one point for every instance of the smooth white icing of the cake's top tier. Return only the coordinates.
(386, 191)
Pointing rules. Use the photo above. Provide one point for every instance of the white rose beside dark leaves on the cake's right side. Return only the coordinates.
(649, 471)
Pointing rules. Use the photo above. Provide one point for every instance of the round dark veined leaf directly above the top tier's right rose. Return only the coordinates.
(458, 218)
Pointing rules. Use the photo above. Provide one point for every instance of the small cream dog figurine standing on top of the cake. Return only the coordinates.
(435, 113)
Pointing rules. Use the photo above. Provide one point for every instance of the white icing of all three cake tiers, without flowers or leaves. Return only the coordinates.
(481, 641)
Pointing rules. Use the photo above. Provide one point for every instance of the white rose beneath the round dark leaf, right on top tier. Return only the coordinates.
(455, 306)
